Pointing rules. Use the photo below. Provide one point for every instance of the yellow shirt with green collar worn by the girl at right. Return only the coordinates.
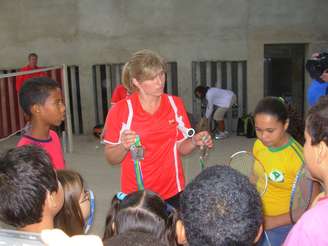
(281, 165)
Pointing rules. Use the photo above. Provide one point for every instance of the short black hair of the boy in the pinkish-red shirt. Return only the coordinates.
(35, 91)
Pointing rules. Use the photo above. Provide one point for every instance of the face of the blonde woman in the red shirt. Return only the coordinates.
(152, 87)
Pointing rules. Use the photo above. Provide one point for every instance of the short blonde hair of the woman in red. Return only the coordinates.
(143, 65)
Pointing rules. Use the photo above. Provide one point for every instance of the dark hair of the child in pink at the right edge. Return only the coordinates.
(317, 121)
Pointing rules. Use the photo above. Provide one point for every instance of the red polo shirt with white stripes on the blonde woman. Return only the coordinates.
(162, 169)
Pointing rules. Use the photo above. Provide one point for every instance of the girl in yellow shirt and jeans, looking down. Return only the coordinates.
(281, 156)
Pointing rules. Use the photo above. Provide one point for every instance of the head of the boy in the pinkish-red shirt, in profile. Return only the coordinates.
(41, 98)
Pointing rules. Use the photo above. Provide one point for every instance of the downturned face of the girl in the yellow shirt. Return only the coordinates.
(270, 131)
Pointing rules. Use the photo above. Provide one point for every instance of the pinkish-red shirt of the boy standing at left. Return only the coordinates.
(51, 145)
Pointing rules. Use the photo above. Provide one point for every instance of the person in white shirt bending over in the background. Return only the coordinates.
(217, 98)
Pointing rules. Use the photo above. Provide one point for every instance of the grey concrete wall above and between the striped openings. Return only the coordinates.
(84, 32)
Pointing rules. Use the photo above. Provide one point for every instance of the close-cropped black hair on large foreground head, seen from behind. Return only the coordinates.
(221, 207)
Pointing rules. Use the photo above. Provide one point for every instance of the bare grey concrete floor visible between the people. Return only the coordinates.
(88, 159)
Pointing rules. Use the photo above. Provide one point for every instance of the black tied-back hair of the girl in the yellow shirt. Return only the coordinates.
(277, 107)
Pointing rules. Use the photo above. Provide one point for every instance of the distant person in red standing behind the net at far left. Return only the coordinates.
(32, 65)
